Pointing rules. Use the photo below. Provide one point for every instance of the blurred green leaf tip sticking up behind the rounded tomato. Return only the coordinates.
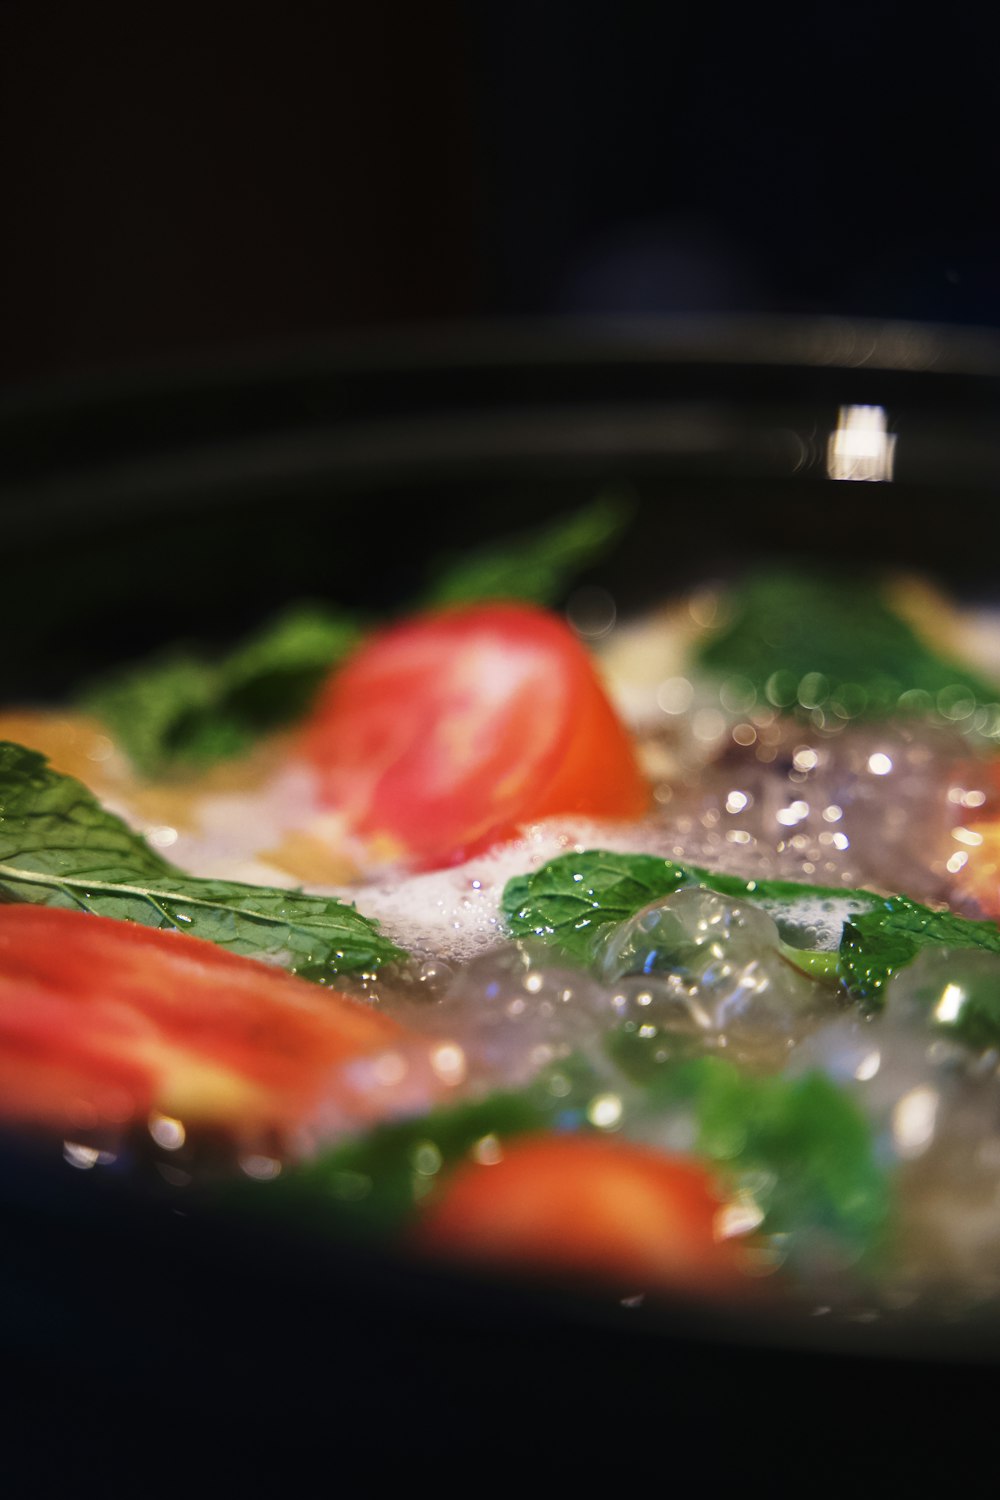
(536, 566)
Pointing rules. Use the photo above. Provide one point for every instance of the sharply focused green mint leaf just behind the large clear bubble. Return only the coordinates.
(575, 901)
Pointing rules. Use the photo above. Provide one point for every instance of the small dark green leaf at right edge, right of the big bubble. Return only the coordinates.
(879, 943)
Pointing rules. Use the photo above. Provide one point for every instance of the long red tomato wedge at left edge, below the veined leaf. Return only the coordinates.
(103, 1022)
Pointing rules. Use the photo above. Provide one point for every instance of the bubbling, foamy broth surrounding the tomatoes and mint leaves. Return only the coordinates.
(726, 991)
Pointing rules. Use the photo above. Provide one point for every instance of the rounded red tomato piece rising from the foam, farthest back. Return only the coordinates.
(445, 734)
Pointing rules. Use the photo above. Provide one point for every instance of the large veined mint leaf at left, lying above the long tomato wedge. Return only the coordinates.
(59, 847)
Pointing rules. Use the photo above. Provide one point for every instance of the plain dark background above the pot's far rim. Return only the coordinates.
(182, 182)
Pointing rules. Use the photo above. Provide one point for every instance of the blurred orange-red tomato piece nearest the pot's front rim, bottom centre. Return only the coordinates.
(593, 1207)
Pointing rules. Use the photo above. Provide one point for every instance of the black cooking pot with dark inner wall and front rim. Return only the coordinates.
(155, 1343)
